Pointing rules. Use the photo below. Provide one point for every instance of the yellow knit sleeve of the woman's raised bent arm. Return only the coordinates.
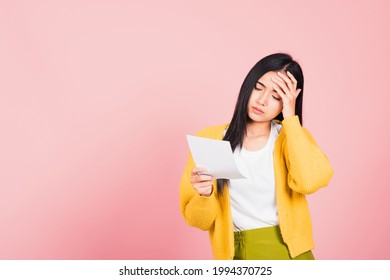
(308, 167)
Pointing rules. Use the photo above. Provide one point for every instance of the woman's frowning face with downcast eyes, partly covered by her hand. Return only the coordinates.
(264, 103)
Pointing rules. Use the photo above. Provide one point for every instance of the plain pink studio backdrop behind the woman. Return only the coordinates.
(96, 98)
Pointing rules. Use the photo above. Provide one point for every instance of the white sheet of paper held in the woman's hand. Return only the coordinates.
(214, 155)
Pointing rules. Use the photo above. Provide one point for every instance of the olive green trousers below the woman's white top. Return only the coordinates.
(263, 244)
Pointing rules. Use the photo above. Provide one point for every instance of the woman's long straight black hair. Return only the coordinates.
(235, 134)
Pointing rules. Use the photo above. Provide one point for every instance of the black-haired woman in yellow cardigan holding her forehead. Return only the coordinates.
(265, 216)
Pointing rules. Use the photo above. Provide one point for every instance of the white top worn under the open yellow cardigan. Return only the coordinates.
(253, 200)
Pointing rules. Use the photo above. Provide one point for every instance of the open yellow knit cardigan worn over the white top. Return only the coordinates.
(300, 168)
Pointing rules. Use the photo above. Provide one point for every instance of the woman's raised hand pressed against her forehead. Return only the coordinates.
(286, 87)
